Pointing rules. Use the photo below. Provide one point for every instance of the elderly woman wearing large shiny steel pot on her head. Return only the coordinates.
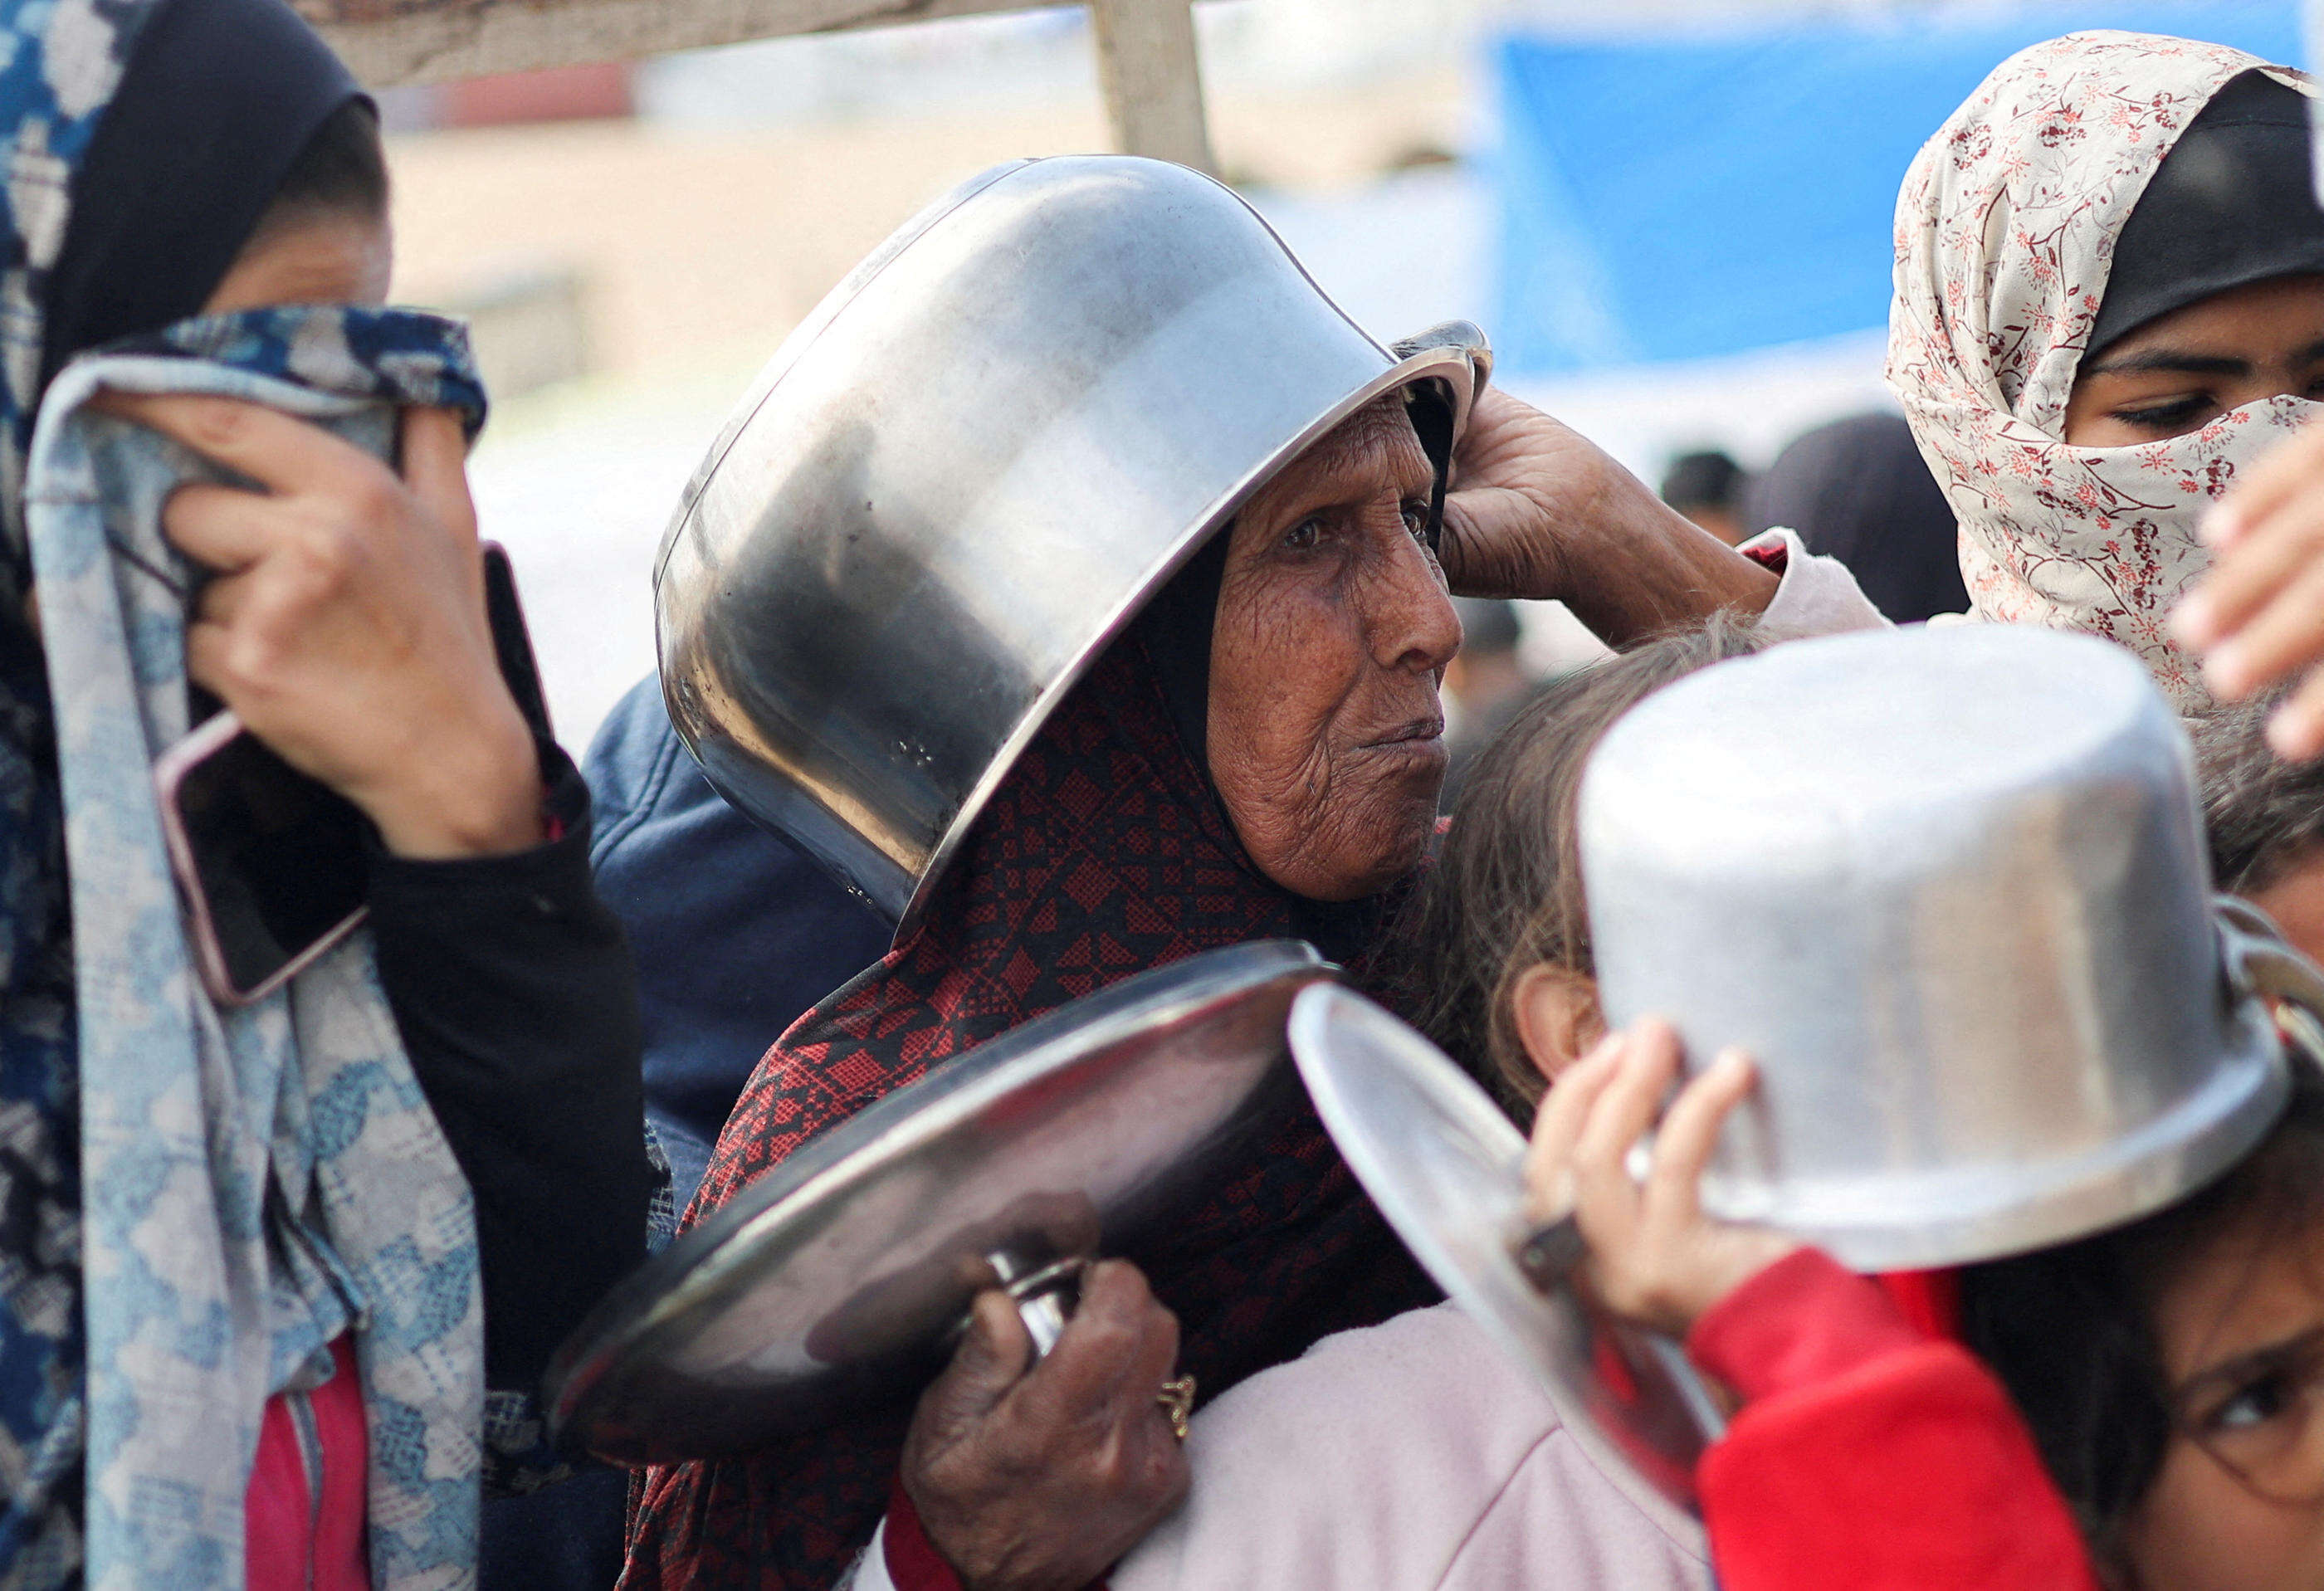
(1077, 589)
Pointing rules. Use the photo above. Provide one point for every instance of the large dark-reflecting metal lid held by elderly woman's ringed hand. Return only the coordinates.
(835, 1281)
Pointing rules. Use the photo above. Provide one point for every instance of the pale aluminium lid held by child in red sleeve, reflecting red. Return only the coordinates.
(1449, 1174)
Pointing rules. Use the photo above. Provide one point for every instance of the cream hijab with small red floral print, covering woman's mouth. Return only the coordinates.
(2004, 238)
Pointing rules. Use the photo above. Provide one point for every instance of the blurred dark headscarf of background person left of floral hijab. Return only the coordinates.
(1860, 491)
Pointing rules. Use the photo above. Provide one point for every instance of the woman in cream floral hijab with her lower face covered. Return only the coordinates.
(2109, 303)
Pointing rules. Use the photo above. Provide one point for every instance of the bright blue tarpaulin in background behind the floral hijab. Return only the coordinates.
(1695, 196)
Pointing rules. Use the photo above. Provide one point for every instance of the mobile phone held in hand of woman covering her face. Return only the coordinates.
(268, 861)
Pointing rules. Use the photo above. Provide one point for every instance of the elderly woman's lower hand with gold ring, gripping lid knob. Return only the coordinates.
(1038, 1481)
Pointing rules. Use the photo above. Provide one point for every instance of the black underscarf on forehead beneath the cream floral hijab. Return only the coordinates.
(2232, 203)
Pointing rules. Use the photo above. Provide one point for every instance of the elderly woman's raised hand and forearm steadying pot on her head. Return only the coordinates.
(1537, 510)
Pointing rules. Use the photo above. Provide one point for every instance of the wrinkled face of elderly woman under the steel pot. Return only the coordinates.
(1333, 635)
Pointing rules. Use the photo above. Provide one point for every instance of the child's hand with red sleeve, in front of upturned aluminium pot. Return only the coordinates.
(1654, 1255)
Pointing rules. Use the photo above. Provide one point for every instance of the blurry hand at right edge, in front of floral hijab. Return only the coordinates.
(2260, 614)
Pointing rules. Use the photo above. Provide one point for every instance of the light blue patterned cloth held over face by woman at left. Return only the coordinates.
(254, 1181)
